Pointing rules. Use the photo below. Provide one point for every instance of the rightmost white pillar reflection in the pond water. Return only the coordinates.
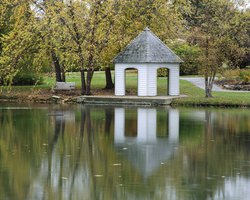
(173, 125)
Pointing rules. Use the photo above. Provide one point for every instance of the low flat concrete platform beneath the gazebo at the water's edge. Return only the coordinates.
(127, 100)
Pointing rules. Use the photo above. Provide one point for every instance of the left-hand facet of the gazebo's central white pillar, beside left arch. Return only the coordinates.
(142, 80)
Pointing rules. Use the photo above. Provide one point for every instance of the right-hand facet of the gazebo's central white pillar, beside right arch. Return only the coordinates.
(152, 80)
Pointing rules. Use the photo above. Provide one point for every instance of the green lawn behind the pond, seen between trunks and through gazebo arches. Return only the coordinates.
(195, 94)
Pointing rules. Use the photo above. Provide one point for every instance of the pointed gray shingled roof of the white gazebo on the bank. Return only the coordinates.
(147, 48)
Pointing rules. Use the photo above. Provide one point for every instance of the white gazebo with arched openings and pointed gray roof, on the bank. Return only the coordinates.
(147, 53)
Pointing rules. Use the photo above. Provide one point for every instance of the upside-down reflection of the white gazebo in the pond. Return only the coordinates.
(149, 148)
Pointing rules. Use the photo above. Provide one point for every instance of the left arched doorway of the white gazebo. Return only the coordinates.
(131, 81)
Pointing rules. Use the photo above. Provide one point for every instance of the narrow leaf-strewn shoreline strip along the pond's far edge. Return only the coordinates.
(45, 96)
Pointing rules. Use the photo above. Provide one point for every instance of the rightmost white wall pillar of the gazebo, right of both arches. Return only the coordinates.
(173, 87)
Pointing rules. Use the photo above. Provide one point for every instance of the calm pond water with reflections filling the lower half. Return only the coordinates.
(97, 152)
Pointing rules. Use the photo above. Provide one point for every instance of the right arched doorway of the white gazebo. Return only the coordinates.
(162, 81)
